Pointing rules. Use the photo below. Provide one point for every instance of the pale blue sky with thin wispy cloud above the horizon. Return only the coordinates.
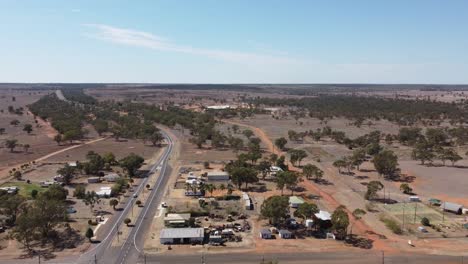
(234, 41)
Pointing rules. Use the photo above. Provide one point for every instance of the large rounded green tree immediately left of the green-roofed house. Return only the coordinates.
(275, 208)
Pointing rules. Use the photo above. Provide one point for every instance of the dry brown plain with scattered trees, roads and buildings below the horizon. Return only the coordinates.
(257, 172)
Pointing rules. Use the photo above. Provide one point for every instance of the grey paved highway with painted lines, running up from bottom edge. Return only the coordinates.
(132, 249)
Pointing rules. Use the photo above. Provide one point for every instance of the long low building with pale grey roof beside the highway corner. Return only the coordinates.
(181, 236)
